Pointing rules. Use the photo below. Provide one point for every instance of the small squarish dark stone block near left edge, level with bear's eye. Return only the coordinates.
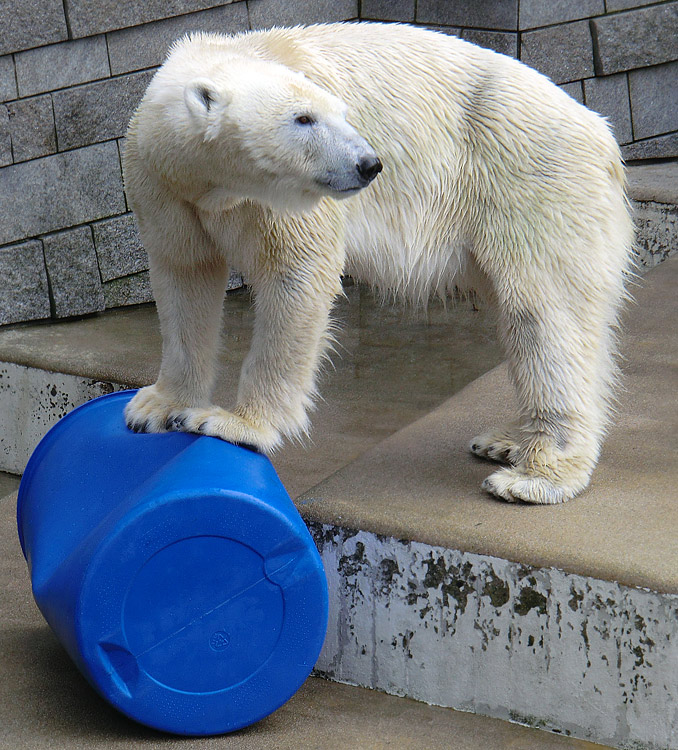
(31, 124)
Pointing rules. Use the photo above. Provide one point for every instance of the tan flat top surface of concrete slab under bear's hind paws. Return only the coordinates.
(422, 484)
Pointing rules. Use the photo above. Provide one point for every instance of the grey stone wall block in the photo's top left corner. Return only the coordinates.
(31, 23)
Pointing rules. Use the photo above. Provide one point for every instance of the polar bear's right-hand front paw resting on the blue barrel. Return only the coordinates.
(226, 425)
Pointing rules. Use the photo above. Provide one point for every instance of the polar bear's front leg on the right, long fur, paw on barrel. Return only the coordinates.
(295, 279)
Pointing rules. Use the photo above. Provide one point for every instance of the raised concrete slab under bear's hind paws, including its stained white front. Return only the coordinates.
(563, 618)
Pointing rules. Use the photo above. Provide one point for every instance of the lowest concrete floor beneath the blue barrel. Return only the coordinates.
(46, 704)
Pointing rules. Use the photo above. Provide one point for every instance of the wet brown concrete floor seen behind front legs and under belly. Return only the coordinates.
(391, 365)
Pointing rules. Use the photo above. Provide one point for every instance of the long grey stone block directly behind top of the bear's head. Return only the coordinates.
(147, 45)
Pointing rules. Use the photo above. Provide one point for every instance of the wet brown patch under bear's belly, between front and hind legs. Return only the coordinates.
(392, 366)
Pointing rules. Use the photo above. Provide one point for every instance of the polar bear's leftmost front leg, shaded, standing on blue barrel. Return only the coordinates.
(188, 276)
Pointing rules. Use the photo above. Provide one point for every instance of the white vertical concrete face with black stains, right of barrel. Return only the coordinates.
(455, 629)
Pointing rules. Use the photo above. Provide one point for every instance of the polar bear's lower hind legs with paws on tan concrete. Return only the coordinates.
(560, 360)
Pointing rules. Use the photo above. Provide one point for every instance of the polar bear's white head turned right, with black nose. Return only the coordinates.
(272, 136)
